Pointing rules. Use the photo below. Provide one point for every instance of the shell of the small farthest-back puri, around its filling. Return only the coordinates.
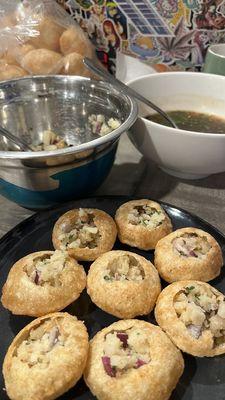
(138, 235)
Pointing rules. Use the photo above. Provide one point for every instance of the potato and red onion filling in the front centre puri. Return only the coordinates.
(124, 350)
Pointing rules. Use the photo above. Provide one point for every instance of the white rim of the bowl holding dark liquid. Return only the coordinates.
(180, 73)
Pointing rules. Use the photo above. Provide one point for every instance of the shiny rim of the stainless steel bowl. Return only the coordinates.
(112, 136)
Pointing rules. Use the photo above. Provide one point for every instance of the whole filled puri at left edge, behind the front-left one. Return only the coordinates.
(37, 289)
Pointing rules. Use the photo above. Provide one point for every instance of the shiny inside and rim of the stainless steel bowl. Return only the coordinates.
(29, 106)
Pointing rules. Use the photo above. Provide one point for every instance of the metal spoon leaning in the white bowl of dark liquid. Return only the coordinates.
(116, 82)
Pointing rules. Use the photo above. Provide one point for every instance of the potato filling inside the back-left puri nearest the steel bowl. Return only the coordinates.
(83, 233)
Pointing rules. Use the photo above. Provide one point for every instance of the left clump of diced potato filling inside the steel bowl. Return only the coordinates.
(50, 141)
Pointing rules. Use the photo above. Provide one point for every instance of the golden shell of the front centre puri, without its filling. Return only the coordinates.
(153, 381)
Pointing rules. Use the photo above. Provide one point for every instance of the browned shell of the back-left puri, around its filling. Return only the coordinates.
(105, 225)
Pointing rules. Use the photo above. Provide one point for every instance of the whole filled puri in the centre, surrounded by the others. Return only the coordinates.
(120, 289)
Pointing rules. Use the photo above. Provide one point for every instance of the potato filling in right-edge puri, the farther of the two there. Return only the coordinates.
(191, 245)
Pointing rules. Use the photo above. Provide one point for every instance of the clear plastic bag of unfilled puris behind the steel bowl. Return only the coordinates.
(38, 37)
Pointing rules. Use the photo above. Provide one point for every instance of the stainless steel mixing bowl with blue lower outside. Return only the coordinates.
(31, 105)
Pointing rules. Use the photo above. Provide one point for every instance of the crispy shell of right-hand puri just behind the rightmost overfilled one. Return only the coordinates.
(172, 267)
